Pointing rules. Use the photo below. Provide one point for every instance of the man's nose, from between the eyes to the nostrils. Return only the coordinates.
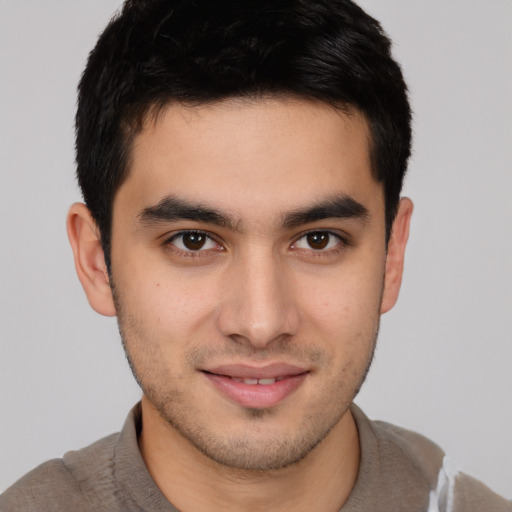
(258, 306)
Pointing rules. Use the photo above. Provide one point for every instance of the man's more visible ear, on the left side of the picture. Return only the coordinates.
(84, 237)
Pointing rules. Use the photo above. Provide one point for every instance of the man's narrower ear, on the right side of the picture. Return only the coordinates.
(396, 254)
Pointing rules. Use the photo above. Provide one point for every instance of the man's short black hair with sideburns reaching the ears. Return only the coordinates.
(155, 52)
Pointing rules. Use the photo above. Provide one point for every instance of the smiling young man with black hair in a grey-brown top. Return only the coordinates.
(241, 163)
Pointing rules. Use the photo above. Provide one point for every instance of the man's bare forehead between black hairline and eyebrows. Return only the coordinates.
(265, 155)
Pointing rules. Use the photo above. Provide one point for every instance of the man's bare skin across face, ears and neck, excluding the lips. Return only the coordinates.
(259, 291)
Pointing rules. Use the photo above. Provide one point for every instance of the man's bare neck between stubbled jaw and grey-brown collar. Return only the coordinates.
(191, 481)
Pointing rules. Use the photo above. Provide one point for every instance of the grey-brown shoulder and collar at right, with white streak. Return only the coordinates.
(410, 472)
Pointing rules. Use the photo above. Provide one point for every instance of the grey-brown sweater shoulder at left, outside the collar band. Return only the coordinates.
(76, 482)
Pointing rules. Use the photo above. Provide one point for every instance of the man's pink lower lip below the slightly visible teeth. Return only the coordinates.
(256, 396)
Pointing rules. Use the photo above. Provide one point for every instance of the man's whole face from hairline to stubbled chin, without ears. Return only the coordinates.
(248, 262)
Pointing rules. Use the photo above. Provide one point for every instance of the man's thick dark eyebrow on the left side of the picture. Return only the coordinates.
(172, 208)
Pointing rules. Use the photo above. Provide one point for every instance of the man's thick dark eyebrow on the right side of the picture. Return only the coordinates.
(340, 207)
